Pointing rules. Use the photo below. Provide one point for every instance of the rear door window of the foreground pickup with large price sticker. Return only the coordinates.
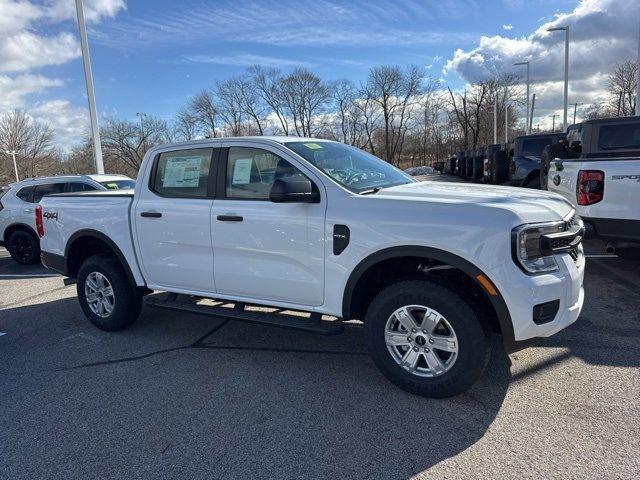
(183, 173)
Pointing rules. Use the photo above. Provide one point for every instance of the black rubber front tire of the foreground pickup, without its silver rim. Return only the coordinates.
(474, 346)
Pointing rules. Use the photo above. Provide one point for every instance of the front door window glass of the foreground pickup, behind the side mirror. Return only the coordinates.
(252, 171)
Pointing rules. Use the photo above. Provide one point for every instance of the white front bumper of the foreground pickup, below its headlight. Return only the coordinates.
(522, 293)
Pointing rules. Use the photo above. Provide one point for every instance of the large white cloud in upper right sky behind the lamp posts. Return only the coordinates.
(602, 32)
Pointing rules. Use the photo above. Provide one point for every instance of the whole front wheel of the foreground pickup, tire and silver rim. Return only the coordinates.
(426, 339)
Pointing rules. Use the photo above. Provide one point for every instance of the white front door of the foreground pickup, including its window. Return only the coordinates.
(265, 250)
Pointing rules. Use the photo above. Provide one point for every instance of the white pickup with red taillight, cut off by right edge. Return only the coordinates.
(598, 170)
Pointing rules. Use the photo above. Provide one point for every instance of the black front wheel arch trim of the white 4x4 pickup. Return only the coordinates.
(438, 256)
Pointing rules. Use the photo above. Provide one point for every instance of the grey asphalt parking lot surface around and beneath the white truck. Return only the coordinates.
(182, 396)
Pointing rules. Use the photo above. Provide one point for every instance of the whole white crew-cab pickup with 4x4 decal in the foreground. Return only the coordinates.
(304, 225)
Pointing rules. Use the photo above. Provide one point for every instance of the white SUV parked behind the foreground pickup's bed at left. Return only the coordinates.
(17, 204)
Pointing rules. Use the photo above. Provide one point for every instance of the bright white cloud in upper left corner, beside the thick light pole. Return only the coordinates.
(24, 49)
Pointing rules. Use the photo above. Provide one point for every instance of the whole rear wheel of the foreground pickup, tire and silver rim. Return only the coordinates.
(106, 295)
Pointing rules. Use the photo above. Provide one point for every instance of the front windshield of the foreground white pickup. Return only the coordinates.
(349, 166)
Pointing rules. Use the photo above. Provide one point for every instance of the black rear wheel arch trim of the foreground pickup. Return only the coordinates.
(87, 242)
